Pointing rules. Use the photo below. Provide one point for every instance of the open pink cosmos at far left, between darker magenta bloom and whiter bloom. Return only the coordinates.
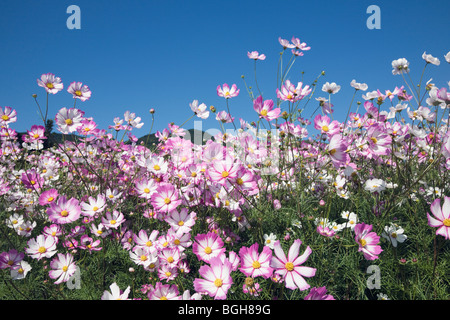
(64, 211)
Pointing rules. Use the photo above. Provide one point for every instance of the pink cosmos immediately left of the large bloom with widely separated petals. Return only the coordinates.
(254, 264)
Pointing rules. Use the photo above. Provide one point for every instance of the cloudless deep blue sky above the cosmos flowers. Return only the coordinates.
(136, 54)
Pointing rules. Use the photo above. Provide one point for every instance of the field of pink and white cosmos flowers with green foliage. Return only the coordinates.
(279, 206)
